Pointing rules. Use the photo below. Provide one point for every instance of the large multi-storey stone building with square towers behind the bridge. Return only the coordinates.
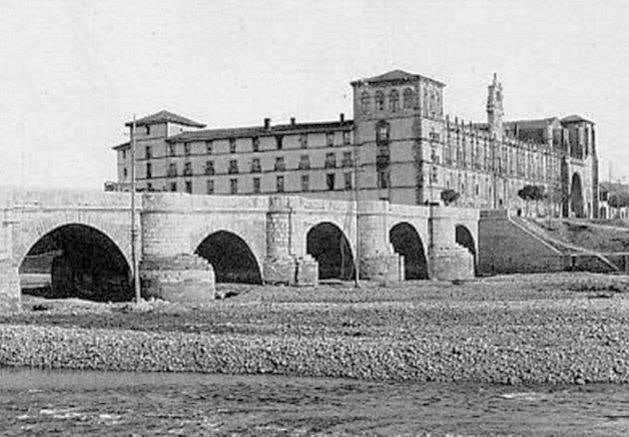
(408, 152)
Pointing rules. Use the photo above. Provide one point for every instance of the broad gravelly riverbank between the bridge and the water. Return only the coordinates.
(521, 329)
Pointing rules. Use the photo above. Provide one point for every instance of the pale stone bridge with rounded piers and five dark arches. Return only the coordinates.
(185, 241)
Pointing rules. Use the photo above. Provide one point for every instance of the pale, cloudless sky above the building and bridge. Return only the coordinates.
(73, 72)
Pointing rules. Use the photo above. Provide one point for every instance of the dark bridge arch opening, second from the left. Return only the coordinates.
(231, 257)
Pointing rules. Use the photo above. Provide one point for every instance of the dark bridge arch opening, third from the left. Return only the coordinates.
(328, 245)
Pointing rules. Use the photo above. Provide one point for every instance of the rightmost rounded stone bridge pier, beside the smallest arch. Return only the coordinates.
(447, 260)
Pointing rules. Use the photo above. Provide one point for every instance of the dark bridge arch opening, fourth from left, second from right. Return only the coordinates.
(407, 242)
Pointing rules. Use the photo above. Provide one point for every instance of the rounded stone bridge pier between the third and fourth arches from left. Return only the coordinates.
(378, 260)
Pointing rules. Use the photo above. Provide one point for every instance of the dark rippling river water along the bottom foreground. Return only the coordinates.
(107, 403)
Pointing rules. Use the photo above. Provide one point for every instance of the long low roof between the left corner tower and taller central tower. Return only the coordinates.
(260, 131)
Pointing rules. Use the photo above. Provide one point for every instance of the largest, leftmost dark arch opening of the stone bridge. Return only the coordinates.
(79, 261)
